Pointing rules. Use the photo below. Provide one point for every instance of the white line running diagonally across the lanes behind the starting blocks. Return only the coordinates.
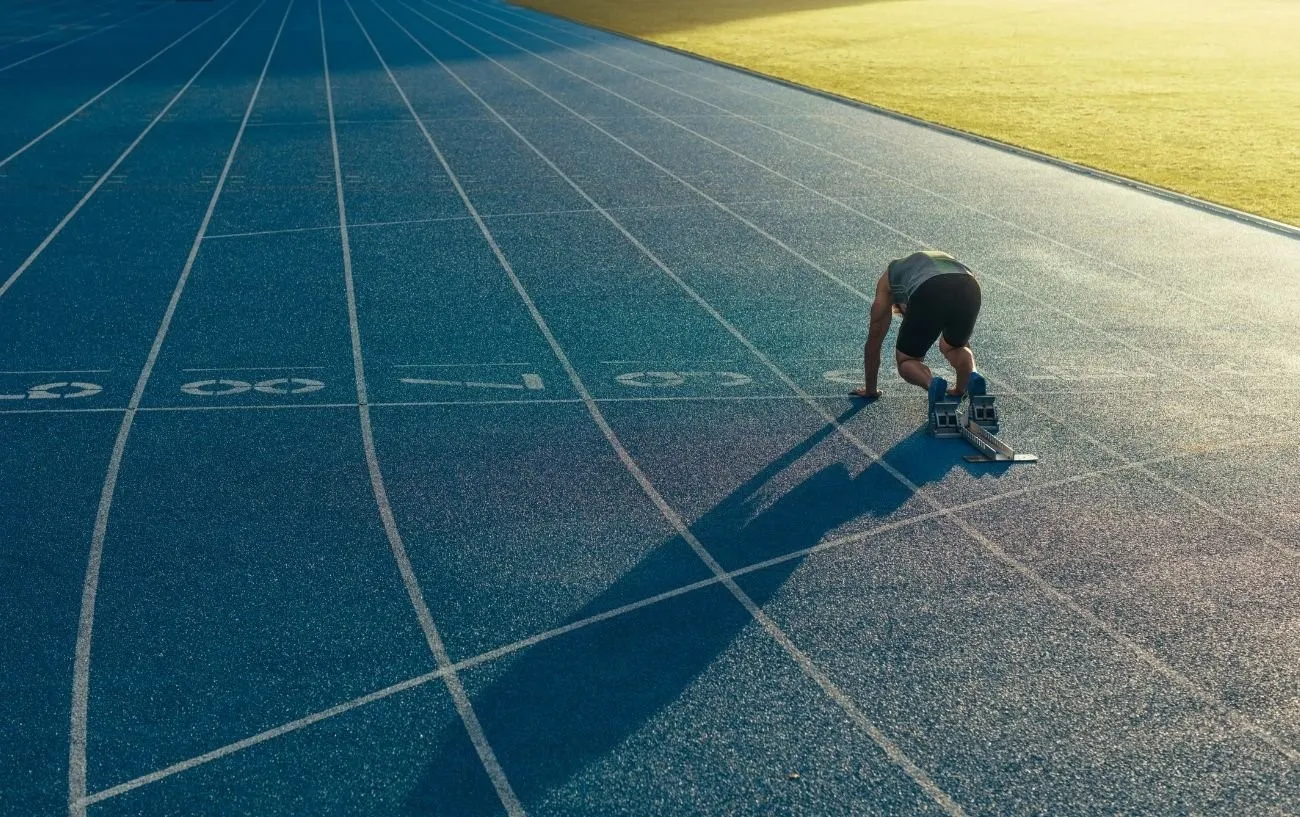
(239, 746)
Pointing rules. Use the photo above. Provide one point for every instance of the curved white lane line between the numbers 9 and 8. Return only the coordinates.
(86, 625)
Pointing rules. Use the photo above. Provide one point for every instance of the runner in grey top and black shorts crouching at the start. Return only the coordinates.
(939, 299)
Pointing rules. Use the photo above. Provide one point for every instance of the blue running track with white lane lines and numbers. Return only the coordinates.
(436, 408)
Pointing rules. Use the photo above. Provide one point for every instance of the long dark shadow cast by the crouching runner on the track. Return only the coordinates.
(556, 712)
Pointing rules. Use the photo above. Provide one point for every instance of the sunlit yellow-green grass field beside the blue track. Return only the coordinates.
(1198, 97)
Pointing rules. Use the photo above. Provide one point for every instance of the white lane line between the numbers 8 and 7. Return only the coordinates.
(465, 708)
